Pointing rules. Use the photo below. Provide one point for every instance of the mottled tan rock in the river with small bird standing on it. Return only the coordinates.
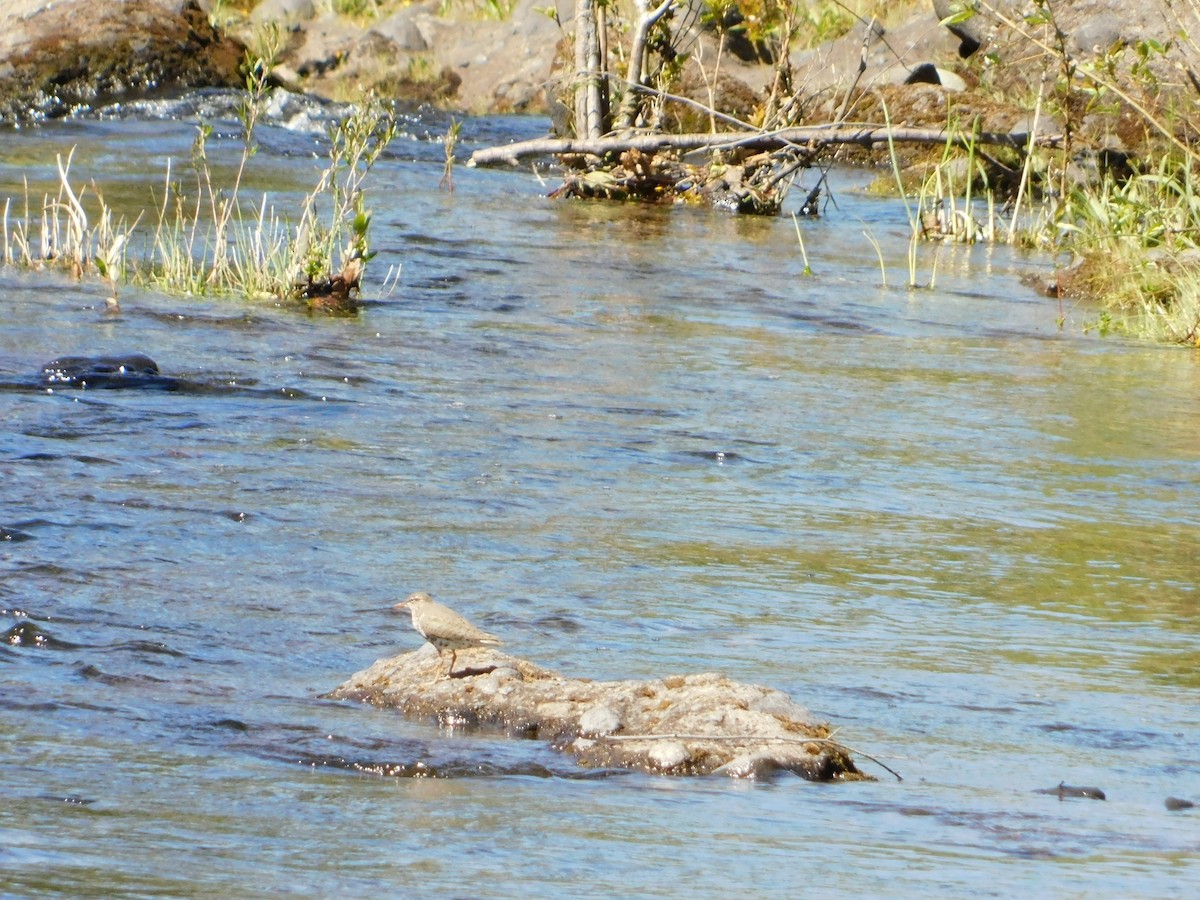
(681, 725)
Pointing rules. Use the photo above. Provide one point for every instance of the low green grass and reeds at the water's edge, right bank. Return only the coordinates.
(1133, 236)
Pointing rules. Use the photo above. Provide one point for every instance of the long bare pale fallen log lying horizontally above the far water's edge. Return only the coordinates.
(807, 137)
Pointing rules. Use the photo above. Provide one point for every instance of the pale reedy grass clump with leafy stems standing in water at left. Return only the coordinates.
(208, 239)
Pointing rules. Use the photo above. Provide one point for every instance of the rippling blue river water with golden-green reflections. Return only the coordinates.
(634, 442)
